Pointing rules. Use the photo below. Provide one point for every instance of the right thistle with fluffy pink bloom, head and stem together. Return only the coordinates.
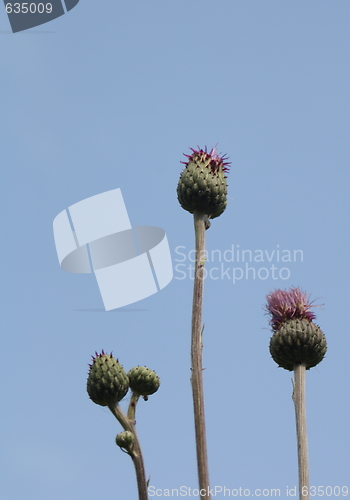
(297, 344)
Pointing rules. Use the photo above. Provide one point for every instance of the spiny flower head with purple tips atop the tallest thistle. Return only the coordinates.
(202, 187)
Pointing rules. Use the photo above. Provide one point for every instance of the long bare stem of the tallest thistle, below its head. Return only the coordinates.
(200, 222)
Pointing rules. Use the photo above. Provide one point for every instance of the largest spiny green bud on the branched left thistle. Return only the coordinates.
(107, 381)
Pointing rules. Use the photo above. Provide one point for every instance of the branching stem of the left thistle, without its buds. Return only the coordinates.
(136, 455)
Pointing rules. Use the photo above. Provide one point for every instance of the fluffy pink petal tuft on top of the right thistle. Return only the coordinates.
(284, 305)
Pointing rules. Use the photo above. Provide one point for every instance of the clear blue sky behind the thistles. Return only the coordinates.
(110, 96)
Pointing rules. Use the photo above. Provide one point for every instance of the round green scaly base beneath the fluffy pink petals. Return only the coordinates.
(298, 341)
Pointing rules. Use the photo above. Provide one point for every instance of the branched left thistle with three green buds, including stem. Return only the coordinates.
(107, 385)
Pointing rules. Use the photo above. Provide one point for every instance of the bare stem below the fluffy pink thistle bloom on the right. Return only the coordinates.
(300, 415)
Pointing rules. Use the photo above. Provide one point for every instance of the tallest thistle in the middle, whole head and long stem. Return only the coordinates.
(202, 191)
